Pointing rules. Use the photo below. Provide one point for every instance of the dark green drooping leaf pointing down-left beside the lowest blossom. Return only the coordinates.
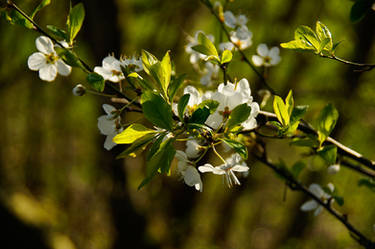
(161, 160)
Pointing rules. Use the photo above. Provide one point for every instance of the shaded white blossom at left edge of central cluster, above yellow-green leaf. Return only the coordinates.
(109, 125)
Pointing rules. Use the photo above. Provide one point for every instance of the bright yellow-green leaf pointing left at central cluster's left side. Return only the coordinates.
(132, 133)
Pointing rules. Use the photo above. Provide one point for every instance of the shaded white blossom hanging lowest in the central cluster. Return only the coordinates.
(189, 173)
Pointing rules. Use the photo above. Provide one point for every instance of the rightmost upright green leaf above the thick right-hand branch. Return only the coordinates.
(326, 122)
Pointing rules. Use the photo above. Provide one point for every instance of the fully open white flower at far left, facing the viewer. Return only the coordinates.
(46, 61)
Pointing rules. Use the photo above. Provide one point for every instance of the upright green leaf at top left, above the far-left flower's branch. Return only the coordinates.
(75, 21)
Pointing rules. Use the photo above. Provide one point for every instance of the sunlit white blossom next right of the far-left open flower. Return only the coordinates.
(110, 69)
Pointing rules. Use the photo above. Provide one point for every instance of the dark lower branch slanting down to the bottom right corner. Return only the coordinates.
(293, 184)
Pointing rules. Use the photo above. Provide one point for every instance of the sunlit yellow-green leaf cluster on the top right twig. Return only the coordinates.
(318, 41)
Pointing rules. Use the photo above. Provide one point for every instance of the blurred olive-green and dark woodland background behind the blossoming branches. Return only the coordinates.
(60, 189)
